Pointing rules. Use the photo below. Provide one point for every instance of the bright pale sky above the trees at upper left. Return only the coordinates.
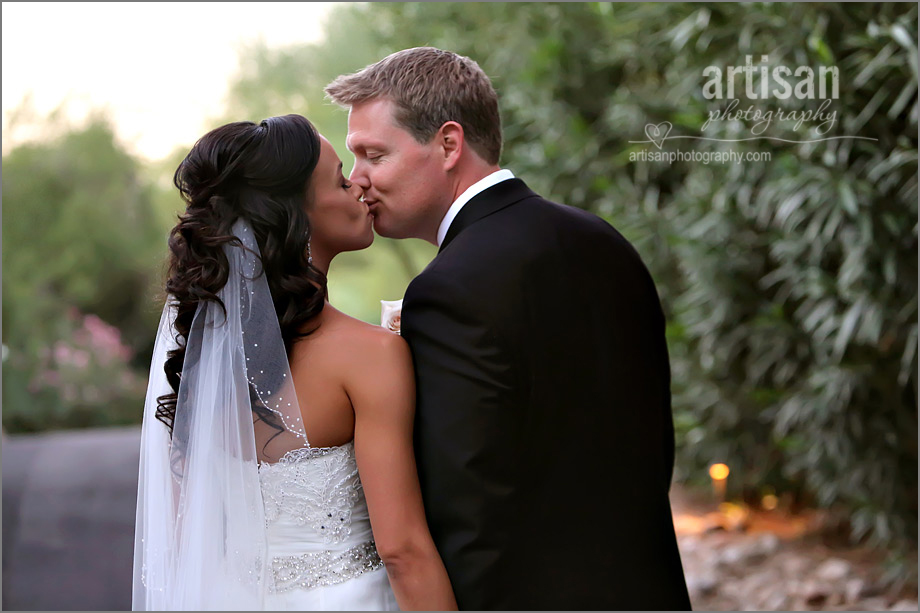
(161, 69)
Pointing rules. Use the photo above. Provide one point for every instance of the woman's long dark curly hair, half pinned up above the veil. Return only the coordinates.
(260, 172)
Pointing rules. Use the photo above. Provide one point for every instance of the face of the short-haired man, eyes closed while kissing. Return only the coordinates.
(404, 181)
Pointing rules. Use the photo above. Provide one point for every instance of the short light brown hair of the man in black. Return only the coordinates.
(429, 87)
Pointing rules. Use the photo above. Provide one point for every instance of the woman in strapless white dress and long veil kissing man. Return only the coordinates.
(277, 469)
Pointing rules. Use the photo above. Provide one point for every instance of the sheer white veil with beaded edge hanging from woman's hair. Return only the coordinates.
(200, 532)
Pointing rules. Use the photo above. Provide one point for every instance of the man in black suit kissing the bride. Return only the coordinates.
(544, 436)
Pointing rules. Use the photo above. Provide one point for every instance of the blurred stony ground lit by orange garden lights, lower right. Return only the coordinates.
(735, 559)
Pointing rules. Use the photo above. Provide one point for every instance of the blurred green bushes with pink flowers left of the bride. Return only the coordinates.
(79, 238)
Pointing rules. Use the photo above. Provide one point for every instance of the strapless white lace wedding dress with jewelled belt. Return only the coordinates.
(320, 544)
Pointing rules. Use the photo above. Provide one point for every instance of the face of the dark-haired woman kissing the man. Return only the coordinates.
(341, 221)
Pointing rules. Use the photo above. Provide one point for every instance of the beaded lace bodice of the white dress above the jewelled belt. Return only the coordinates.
(316, 487)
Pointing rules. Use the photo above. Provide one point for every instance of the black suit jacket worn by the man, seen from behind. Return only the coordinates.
(544, 436)
